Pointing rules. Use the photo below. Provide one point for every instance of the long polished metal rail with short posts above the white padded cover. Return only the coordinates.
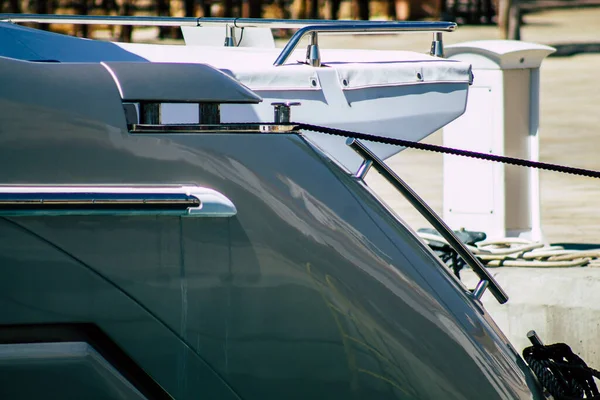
(306, 27)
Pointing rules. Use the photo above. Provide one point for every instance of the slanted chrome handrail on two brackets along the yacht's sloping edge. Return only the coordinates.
(486, 280)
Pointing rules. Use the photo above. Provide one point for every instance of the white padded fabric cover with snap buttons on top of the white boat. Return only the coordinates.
(358, 68)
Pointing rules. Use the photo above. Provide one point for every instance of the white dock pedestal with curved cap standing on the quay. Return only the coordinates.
(502, 117)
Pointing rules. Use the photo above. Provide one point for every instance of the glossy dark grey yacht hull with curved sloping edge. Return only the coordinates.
(313, 289)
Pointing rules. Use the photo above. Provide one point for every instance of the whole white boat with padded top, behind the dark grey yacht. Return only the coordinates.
(396, 94)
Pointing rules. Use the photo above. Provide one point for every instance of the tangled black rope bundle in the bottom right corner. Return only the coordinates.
(564, 374)
